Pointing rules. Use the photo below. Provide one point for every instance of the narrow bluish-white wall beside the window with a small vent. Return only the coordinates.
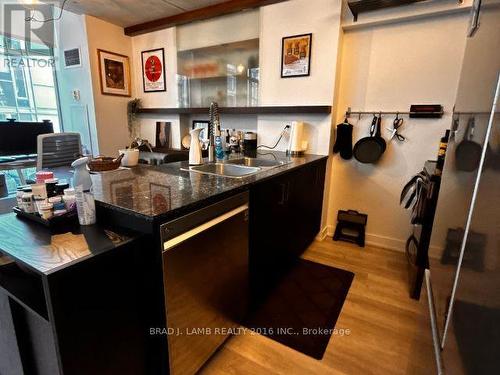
(77, 115)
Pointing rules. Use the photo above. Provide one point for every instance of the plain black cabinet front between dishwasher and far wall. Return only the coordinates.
(285, 217)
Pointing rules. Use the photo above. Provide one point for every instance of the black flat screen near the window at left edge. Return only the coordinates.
(19, 138)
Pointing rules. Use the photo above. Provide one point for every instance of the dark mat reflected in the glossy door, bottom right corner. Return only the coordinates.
(478, 337)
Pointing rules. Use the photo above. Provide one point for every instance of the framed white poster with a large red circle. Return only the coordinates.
(153, 70)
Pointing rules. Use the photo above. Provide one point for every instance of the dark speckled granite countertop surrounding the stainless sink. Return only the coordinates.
(153, 192)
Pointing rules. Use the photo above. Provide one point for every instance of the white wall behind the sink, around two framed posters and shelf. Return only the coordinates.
(270, 23)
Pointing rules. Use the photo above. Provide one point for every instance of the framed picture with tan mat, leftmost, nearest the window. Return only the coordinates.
(114, 73)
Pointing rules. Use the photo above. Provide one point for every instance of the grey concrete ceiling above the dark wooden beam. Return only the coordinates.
(132, 12)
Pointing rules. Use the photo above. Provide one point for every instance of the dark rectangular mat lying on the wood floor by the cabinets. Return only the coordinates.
(303, 308)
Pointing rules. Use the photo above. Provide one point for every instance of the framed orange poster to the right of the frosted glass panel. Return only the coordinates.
(296, 56)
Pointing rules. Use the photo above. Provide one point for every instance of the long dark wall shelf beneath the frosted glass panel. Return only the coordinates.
(311, 109)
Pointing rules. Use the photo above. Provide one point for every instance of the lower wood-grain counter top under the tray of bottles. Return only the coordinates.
(46, 251)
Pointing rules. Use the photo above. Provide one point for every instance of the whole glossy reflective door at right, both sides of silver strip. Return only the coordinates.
(464, 255)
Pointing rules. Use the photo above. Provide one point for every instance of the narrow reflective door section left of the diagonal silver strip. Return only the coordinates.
(476, 92)
